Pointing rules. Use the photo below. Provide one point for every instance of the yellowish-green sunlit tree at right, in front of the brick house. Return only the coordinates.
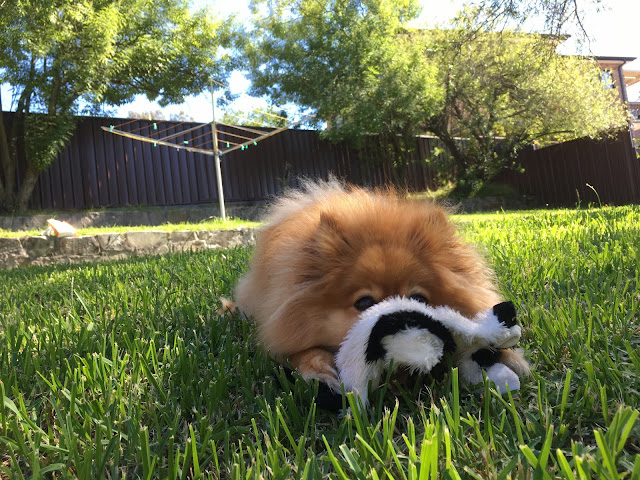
(506, 90)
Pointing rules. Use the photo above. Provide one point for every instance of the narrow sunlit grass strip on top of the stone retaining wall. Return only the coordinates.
(215, 224)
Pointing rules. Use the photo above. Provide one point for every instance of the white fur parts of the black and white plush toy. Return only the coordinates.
(420, 350)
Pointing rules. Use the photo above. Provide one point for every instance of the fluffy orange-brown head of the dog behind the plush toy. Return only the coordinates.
(368, 247)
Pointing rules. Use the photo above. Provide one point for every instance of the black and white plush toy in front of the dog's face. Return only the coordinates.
(418, 336)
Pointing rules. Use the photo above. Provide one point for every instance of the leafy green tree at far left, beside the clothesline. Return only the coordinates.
(63, 56)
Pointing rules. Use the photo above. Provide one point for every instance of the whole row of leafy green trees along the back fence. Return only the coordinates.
(358, 65)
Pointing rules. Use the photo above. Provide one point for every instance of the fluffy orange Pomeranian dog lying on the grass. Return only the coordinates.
(330, 251)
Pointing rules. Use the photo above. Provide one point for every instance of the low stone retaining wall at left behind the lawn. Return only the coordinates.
(40, 250)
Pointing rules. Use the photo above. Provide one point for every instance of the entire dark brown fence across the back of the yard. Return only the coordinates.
(100, 169)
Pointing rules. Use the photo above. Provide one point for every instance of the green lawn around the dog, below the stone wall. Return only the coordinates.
(124, 370)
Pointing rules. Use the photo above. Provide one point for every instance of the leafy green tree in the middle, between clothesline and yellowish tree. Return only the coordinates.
(346, 61)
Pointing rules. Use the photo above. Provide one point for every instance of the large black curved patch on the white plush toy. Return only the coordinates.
(397, 321)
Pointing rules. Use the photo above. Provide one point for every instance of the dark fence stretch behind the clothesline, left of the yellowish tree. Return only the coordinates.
(101, 169)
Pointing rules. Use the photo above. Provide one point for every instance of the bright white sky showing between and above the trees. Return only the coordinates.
(613, 30)
